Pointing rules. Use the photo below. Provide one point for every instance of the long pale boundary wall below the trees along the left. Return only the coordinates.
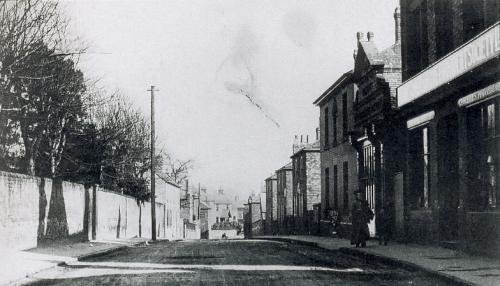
(36, 210)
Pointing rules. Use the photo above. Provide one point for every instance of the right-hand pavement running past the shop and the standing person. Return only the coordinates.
(456, 266)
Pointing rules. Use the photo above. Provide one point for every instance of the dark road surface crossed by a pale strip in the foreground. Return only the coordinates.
(237, 262)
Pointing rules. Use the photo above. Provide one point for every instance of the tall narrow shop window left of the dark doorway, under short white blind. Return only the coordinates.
(419, 172)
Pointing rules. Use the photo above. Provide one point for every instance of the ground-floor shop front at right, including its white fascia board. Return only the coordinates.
(451, 111)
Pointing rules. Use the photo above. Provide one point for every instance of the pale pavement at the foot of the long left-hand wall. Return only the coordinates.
(17, 265)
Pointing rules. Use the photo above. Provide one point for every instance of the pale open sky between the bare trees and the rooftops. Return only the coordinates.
(236, 79)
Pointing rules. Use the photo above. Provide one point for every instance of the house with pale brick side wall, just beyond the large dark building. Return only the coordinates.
(306, 184)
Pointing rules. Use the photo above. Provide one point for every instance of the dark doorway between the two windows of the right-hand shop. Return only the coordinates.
(448, 179)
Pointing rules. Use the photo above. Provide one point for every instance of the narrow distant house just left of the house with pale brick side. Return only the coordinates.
(285, 198)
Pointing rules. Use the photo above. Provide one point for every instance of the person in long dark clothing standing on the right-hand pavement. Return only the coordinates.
(361, 215)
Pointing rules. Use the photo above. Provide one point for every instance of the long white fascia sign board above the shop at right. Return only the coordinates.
(477, 51)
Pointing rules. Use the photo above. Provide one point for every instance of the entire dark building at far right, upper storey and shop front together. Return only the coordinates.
(449, 106)
